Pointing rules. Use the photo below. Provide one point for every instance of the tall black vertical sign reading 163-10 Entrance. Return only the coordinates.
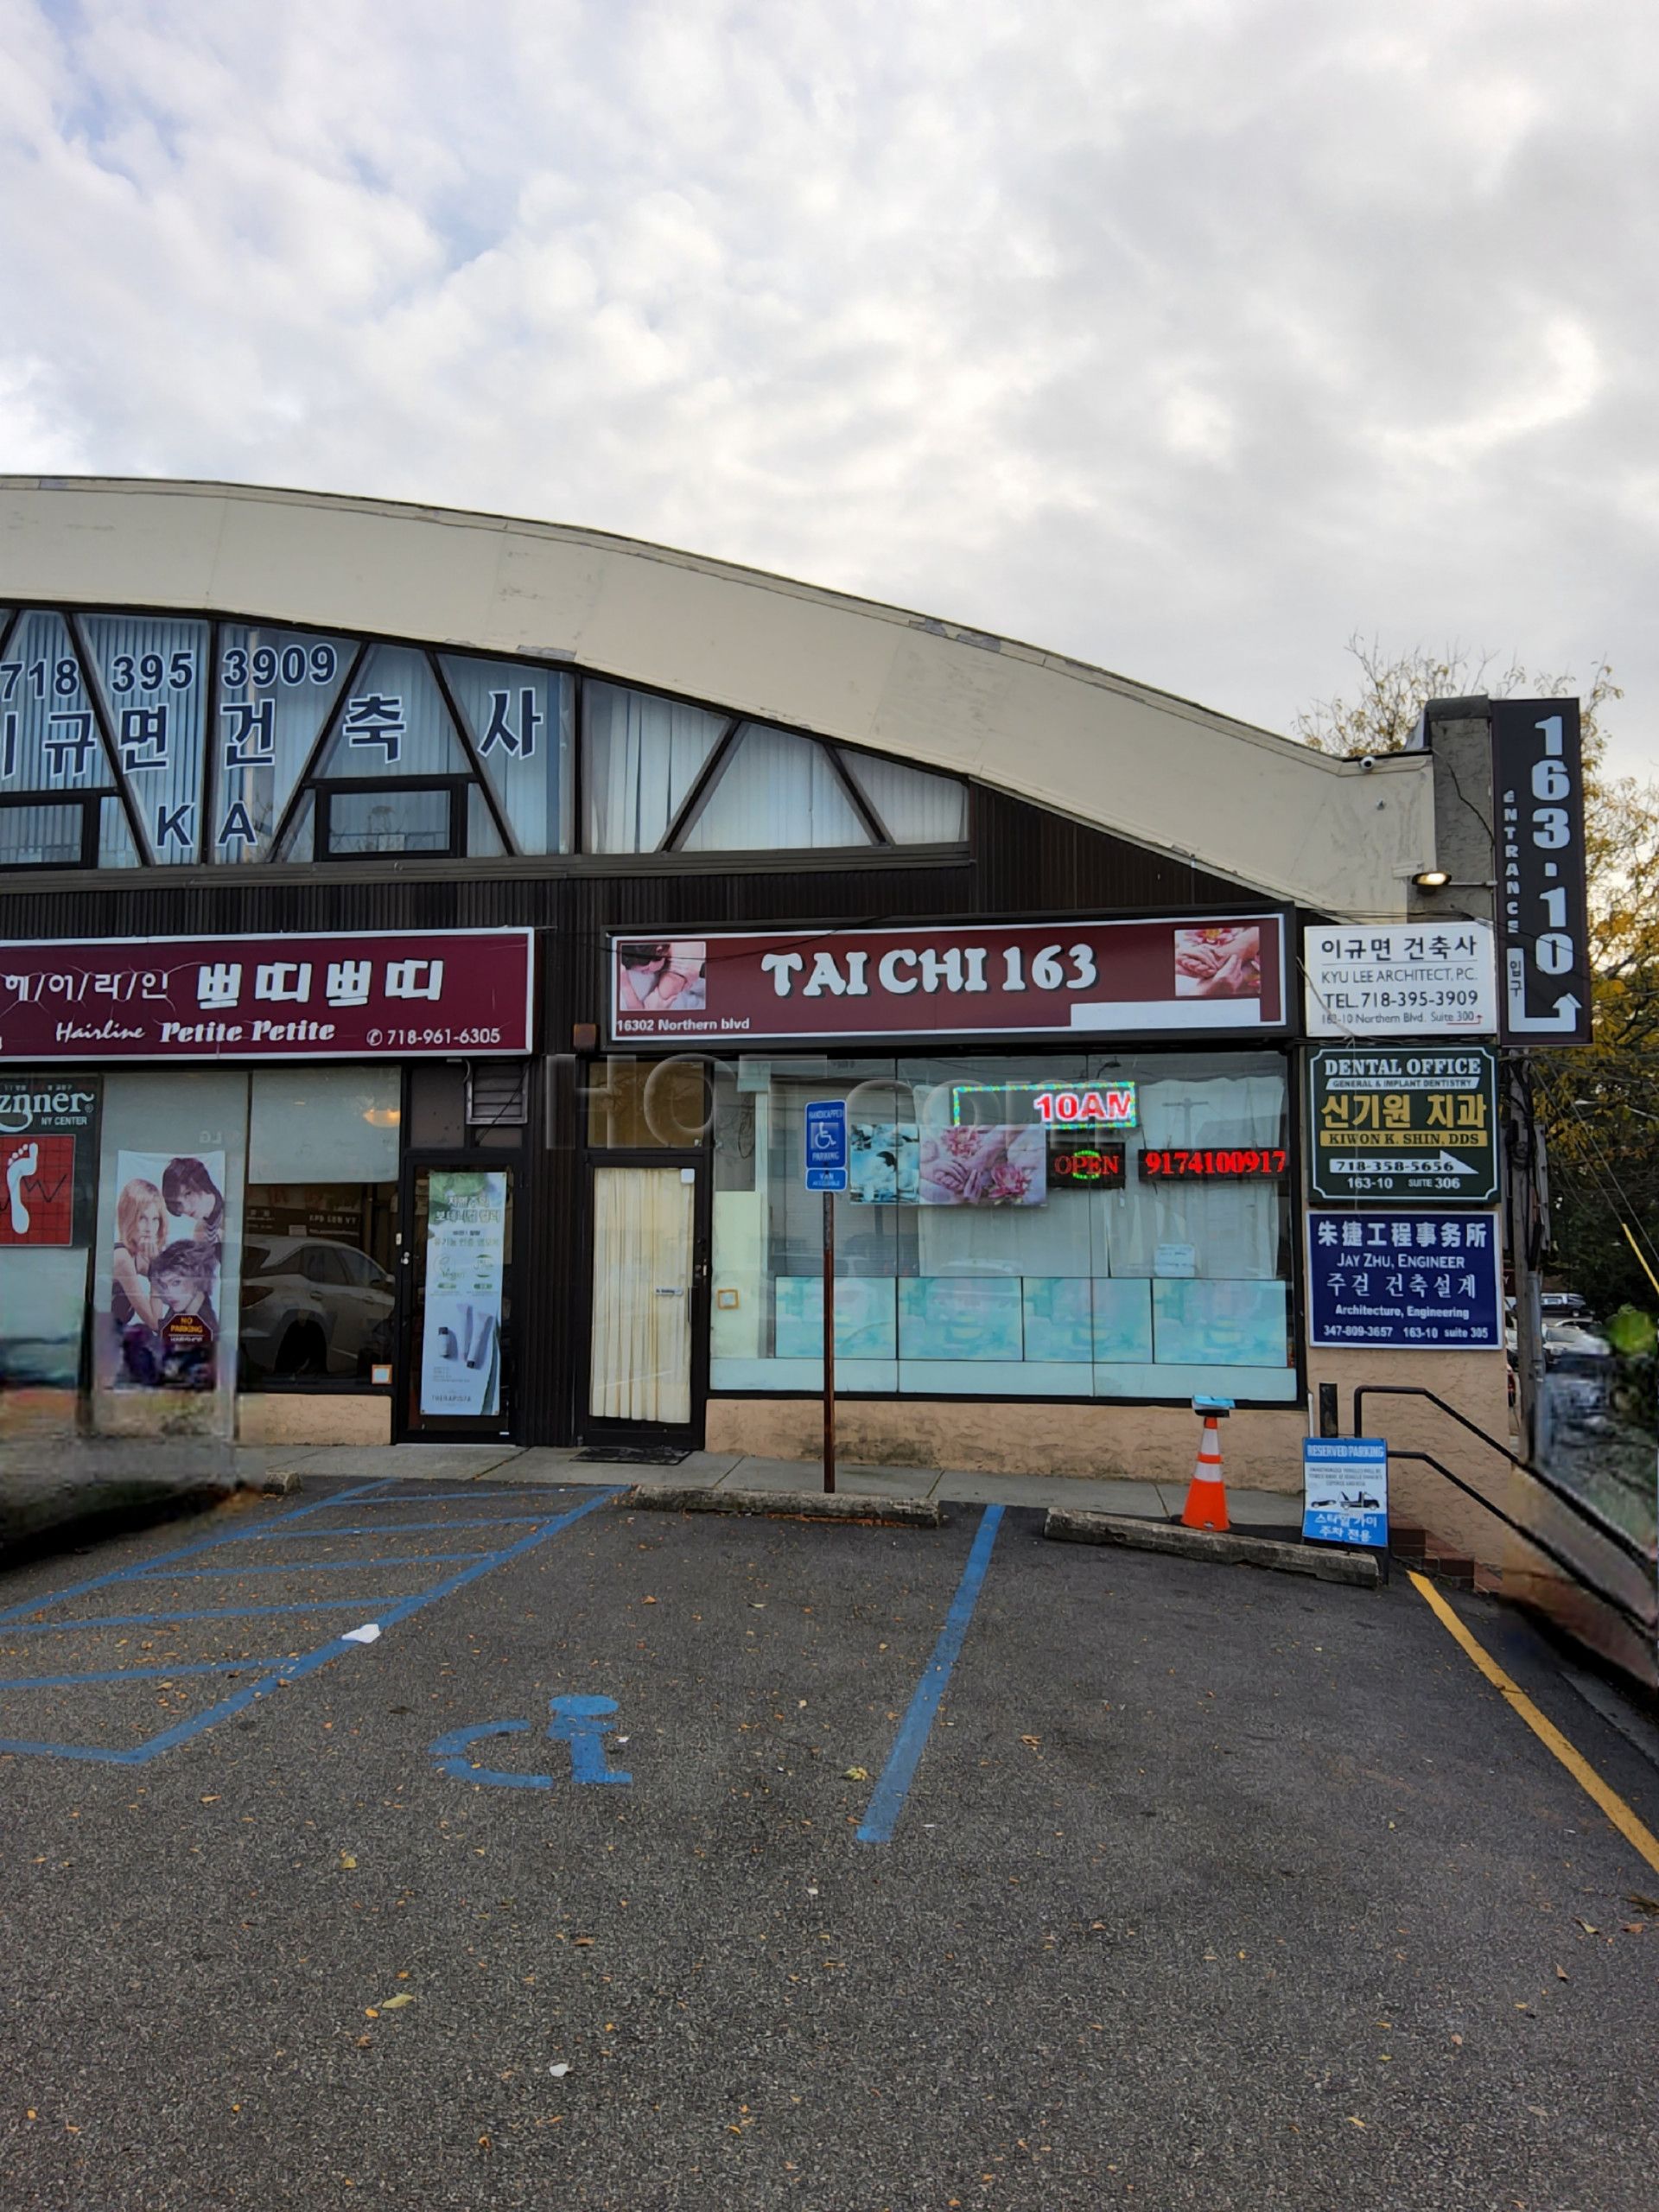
(1543, 935)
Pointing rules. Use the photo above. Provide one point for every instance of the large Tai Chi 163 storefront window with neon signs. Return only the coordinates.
(1005, 1233)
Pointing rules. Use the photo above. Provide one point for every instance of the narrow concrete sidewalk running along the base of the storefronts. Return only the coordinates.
(194, 1465)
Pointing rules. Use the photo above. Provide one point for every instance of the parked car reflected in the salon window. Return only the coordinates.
(313, 1308)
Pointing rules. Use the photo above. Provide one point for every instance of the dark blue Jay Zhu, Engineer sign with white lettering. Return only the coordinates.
(1404, 1282)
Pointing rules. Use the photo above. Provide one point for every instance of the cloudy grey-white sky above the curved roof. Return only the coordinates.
(1182, 335)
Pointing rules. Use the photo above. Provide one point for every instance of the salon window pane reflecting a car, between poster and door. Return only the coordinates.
(320, 1229)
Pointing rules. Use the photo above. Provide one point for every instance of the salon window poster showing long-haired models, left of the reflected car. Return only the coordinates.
(169, 1229)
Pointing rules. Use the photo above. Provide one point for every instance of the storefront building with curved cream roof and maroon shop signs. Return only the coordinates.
(424, 935)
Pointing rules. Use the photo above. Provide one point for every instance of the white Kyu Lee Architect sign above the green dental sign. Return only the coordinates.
(1384, 979)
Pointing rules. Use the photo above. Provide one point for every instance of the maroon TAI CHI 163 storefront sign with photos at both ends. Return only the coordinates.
(1220, 974)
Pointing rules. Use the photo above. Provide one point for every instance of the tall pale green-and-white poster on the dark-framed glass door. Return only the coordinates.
(461, 1342)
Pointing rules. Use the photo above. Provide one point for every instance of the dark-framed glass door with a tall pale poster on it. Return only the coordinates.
(459, 1313)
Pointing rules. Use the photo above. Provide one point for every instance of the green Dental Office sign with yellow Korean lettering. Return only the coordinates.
(1404, 1125)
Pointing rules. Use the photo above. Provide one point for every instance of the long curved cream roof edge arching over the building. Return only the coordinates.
(1127, 760)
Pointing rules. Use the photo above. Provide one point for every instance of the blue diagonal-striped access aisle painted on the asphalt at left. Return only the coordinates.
(273, 1676)
